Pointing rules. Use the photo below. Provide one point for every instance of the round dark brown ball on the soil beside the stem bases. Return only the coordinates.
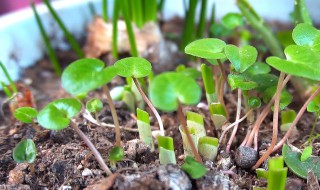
(246, 157)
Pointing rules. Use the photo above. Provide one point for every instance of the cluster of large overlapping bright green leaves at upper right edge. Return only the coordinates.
(303, 59)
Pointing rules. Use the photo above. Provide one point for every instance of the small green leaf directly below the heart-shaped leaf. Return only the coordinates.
(240, 81)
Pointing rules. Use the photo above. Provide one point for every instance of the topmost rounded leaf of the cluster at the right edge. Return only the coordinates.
(306, 35)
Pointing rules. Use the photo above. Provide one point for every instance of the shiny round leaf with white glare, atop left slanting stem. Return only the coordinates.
(57, 114)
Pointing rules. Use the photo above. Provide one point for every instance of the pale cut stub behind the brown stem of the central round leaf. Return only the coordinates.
(195, 125)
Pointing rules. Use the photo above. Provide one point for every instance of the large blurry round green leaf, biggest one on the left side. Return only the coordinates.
(85, 75)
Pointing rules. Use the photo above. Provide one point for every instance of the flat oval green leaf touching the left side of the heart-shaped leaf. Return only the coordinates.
(207, 48)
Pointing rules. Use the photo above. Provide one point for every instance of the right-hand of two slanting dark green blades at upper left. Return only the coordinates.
(75, 46)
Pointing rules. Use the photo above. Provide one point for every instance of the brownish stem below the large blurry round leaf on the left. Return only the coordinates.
(114, 115)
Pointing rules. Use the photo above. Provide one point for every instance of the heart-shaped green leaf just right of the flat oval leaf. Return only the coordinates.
(241, 58)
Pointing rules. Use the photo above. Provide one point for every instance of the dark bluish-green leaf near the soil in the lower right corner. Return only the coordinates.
(292, 159)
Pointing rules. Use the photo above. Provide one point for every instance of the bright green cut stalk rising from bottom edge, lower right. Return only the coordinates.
(276, 174)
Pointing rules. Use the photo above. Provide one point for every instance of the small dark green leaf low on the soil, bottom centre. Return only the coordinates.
(193, 168)
